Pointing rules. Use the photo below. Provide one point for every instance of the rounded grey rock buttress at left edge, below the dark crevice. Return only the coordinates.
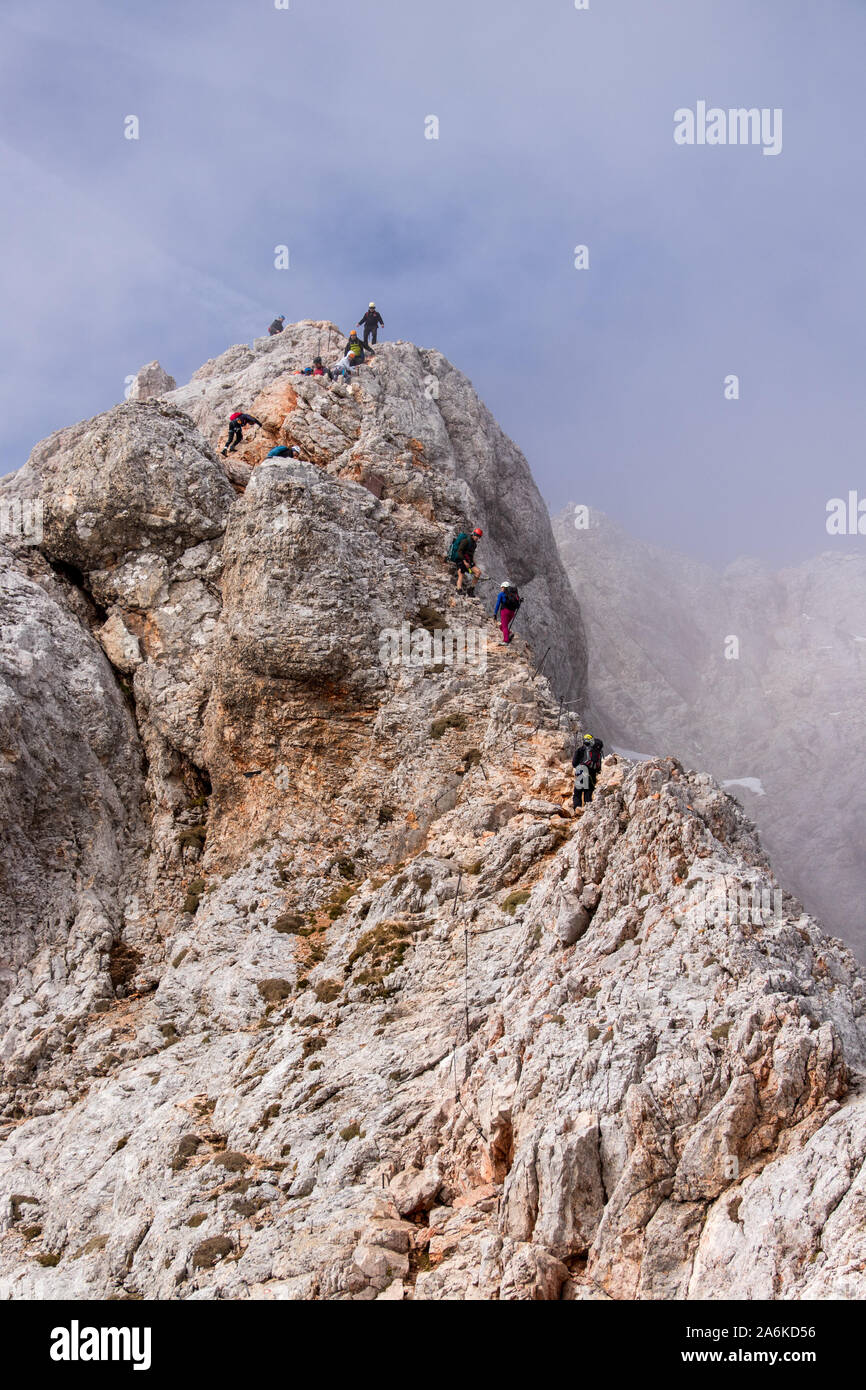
(74, 835)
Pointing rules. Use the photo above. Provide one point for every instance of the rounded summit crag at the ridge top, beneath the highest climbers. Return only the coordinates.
(412, 429)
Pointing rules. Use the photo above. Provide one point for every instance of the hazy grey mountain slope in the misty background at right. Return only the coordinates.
(781, 715)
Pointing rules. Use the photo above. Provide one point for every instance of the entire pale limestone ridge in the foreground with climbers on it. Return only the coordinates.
(316, 988)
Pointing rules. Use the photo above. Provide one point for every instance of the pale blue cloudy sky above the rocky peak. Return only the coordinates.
(307, 127)
